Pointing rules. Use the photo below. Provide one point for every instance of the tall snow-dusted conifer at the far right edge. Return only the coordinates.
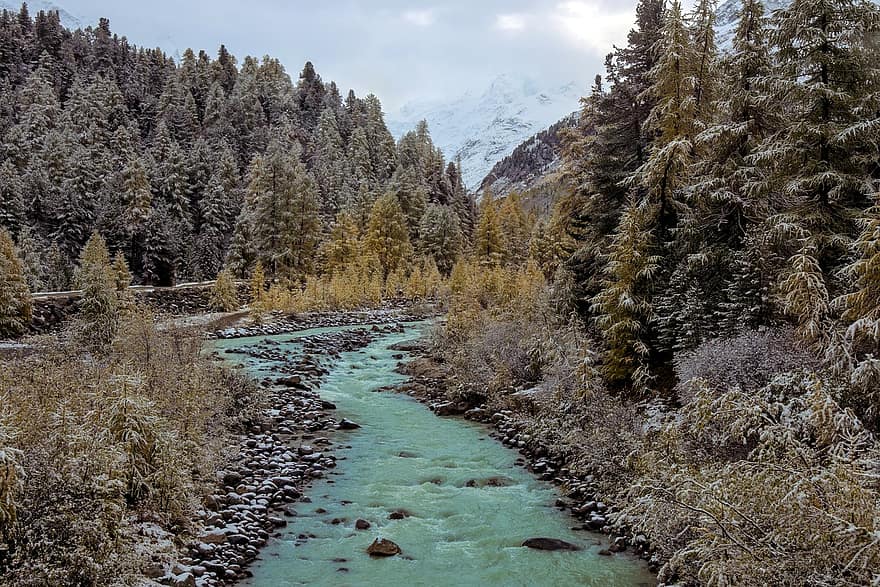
(820, 159)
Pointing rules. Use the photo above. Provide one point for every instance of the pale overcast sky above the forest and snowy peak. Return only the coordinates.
(397, 49)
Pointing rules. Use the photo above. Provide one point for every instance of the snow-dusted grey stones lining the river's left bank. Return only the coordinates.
(280, 455)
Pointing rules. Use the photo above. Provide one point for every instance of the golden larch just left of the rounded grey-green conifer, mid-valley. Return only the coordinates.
(387, 237)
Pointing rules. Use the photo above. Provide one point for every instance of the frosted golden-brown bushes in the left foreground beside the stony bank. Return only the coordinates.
(100, 446)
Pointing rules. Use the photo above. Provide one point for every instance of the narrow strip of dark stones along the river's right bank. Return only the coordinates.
(428, 384)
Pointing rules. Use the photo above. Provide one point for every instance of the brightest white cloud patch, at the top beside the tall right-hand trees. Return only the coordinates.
(591, 26)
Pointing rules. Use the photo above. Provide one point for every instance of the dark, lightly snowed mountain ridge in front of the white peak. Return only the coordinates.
(530, 163)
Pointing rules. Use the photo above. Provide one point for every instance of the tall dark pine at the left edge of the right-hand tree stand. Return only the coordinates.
(609, 143)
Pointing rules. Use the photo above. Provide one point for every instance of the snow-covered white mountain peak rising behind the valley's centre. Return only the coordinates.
(483, 127)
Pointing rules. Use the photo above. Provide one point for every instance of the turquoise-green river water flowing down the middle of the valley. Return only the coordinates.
(456, 535)
